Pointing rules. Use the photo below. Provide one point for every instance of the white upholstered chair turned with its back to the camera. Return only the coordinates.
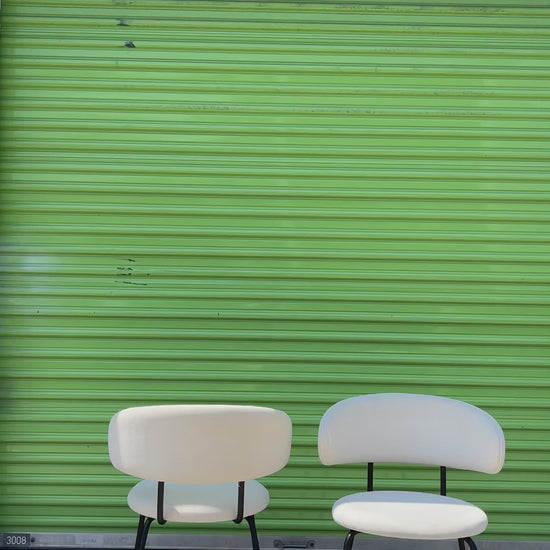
(198, 463)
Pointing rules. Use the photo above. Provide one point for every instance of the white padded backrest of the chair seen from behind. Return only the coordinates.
(201, 444)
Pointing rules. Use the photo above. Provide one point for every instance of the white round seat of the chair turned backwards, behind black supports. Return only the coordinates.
(197, 503)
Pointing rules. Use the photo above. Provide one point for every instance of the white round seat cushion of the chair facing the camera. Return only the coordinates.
(410, 515)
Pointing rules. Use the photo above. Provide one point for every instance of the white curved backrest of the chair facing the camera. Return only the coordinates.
(412, 429)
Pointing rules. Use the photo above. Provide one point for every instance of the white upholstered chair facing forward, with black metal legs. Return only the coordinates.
(411, 429)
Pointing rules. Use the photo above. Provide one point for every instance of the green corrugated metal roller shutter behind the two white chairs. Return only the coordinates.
(273, 203)
